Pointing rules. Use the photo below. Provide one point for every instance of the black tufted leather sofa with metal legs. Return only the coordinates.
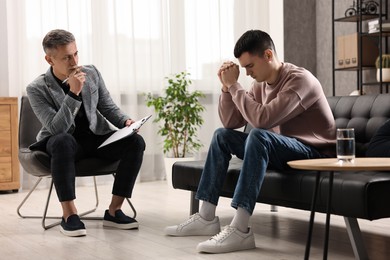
(356, 195)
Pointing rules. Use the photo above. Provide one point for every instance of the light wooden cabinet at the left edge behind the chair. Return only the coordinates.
(9, 163)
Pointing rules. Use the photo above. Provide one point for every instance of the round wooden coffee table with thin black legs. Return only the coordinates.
(331, 165)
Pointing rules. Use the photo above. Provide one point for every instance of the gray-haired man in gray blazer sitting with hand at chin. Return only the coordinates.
(76, 110)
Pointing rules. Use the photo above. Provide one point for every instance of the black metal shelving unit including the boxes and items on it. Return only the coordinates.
(357, 52)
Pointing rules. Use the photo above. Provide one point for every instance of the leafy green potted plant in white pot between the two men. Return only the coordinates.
(179, 113)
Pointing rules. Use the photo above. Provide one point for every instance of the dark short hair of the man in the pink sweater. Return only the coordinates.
(255, 42)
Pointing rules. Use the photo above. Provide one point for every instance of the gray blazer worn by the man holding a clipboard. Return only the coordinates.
(57, 111)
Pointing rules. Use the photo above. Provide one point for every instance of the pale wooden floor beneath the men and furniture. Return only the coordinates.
(279, 235)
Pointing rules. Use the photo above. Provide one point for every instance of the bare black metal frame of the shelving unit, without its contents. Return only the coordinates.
(380, 39)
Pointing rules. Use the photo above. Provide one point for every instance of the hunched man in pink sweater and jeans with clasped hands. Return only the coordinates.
(291, 120)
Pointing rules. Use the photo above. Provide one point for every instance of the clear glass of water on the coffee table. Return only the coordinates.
(345, 144)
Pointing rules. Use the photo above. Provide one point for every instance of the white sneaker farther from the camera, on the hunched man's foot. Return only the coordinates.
(195, 226)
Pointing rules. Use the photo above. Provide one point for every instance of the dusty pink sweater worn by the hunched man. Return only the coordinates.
(295, 106)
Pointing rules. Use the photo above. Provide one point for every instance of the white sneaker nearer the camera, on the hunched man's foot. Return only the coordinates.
(228, 240)
